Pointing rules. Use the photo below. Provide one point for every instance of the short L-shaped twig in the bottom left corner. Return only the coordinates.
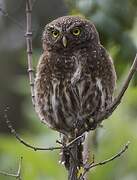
(16, 175)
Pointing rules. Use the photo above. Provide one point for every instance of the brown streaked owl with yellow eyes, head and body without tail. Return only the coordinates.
(75, 76)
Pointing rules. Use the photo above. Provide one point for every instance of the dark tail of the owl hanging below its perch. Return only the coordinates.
(73, 154)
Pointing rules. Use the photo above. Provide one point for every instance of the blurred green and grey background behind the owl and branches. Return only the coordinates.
(116, 22)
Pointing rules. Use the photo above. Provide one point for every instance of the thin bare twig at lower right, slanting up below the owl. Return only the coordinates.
(92, 165)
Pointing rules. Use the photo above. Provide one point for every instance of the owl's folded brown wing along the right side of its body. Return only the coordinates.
(104, 76)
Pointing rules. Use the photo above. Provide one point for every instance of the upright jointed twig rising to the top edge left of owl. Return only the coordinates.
(29, 47)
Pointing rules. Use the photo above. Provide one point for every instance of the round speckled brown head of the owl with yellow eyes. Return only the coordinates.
(69, 33)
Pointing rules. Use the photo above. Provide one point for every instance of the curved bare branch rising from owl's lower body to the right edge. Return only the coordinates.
(117, 100)
